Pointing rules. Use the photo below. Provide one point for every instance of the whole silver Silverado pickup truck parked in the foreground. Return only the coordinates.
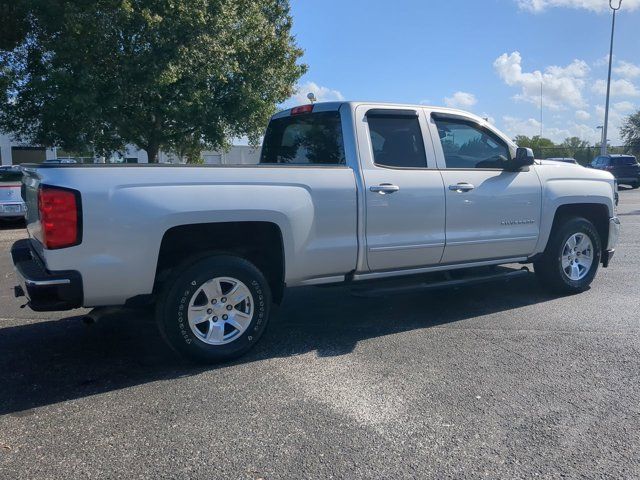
(345, 193)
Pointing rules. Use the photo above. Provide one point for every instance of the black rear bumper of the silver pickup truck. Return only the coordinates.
(45, 290)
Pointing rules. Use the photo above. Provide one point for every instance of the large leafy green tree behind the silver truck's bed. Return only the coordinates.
(181, 74)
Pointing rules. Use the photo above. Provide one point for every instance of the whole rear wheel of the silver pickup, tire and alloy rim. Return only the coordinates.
(214, 309)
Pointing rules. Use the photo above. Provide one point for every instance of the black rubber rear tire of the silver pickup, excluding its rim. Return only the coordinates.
(172, 307)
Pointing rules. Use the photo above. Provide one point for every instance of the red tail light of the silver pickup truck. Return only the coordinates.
(60, 216)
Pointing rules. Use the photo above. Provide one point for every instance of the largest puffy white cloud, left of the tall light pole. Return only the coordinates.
(561, 85)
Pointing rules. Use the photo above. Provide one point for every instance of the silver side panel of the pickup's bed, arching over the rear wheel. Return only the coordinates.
(127, 210)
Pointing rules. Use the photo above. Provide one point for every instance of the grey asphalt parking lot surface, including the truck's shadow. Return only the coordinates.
(498, 380)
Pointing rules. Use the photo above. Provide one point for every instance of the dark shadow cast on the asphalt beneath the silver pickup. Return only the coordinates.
(46, 362)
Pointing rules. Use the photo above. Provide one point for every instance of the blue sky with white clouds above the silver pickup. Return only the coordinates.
(485, 56)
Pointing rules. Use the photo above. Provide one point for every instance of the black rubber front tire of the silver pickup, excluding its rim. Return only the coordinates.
(548, 268)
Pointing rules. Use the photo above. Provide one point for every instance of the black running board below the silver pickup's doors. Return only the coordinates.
(408, 285)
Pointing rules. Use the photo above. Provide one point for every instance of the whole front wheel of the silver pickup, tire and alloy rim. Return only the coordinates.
(570, 261)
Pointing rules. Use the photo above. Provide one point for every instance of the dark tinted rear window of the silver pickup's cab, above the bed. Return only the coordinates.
(308, 139)
